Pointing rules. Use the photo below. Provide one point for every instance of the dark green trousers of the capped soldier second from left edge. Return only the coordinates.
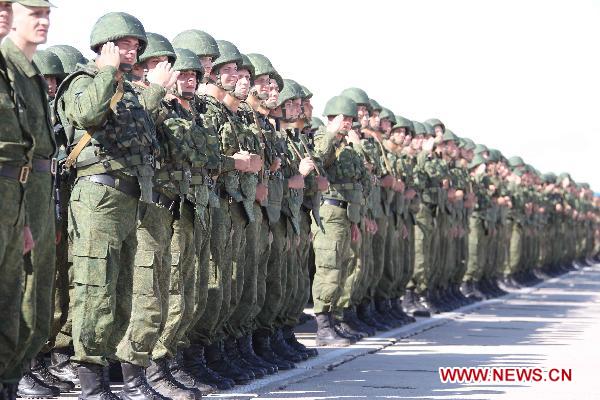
(39, 266)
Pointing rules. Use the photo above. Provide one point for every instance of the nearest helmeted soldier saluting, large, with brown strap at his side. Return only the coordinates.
(114, 158)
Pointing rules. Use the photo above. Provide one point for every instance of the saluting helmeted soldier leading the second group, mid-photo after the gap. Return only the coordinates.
(340, 214)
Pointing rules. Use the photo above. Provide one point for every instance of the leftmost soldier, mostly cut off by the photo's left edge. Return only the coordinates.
(15, 238)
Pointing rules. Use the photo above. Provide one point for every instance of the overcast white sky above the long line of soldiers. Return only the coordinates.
(520, 76)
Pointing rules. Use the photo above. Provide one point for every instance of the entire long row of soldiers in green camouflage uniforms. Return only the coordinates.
(196, 202)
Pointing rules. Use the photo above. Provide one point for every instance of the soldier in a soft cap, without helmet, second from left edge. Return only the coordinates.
(31, 23)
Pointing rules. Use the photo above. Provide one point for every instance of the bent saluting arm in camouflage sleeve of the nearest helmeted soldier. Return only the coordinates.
(87, 101)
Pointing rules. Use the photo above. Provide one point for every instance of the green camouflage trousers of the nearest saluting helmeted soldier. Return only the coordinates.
(102, 223)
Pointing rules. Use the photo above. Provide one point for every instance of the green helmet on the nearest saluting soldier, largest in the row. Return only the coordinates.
(117, 25)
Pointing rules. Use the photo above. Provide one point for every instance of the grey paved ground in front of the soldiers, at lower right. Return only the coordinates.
(555, 325)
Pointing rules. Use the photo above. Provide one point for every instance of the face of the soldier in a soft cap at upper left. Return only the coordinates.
(31, 24)
